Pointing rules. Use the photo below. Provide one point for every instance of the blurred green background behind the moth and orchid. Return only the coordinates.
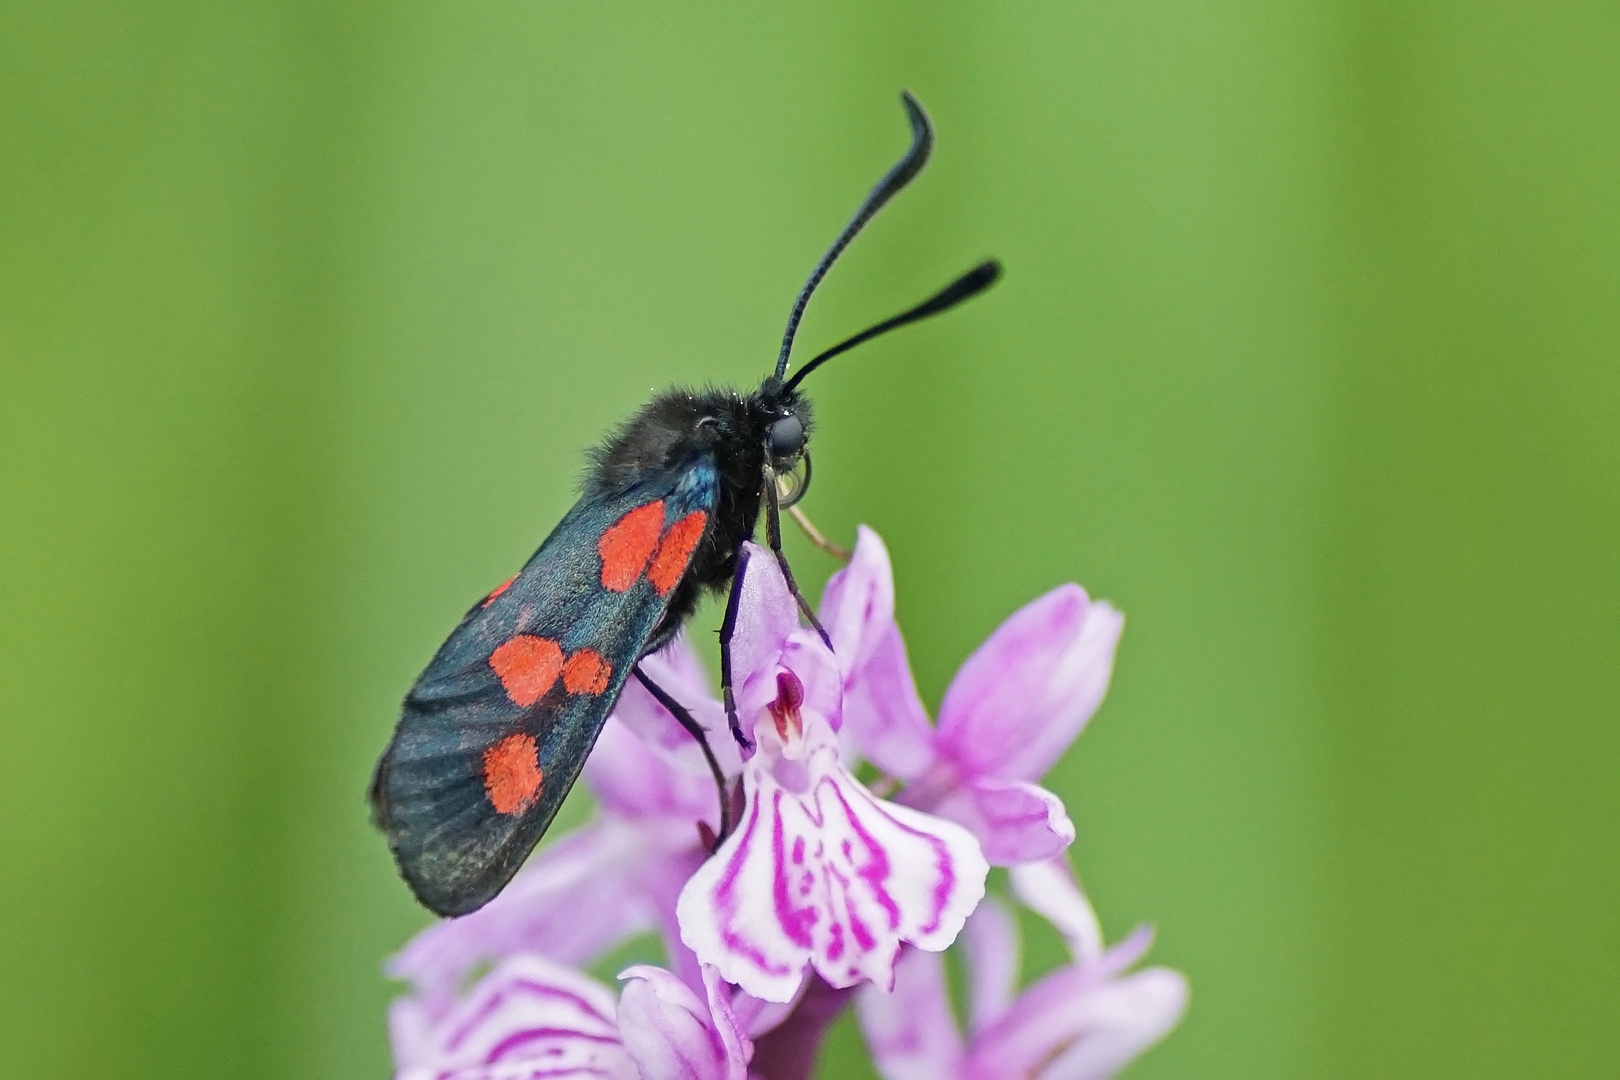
(1308, 357)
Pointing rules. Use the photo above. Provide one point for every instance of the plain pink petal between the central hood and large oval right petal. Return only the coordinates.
(885, 715)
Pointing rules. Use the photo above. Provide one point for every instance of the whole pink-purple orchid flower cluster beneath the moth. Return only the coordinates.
(825, 896)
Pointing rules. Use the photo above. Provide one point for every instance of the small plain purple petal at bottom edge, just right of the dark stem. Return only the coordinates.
(911, 1031)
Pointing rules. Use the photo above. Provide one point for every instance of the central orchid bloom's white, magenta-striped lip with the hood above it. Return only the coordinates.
(821, 874)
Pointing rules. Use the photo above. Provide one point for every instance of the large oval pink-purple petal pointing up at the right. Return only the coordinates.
(1025, 695)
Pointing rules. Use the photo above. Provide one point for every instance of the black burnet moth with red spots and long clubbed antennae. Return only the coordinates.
(498, 728)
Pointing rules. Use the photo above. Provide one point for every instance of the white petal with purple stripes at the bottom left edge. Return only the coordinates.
(526, 1013)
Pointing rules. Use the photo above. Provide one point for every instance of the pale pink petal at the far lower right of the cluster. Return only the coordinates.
(1080, 1026)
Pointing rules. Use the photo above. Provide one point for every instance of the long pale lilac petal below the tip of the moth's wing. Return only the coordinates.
(571, 903)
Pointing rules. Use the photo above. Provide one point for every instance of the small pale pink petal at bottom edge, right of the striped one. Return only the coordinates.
(667, 1029)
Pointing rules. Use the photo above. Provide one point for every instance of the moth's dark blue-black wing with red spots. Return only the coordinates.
(497, 729)
